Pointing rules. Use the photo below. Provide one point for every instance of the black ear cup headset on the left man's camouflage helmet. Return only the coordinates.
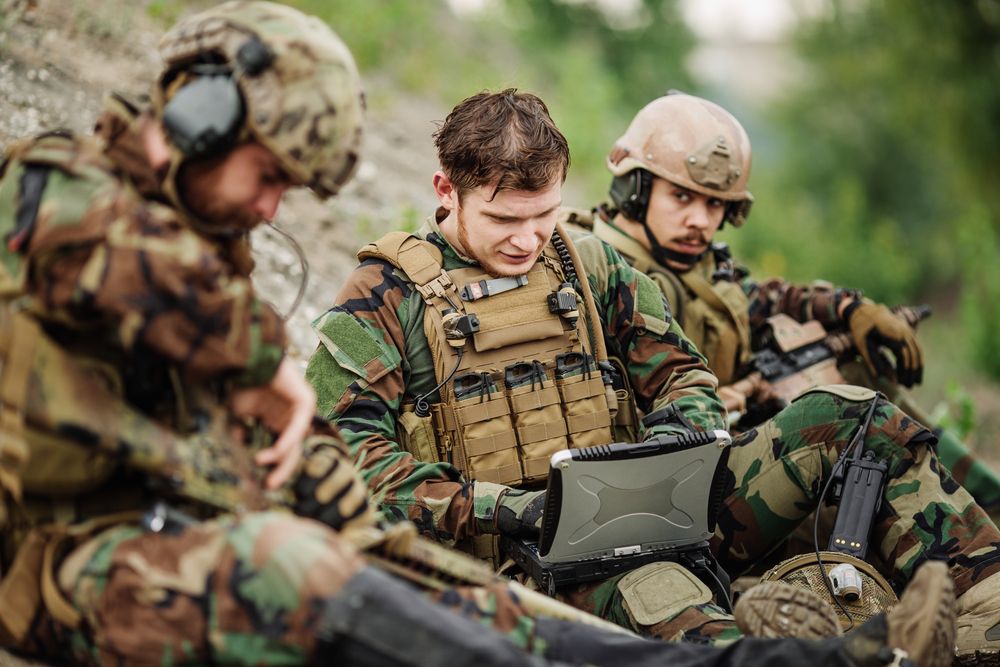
(205, 116)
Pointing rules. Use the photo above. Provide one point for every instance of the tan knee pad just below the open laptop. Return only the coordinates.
(657, 592)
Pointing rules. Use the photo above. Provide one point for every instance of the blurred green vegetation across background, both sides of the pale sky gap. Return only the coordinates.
(880, 166)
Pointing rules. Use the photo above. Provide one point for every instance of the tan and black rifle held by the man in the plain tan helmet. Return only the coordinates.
(795, 357)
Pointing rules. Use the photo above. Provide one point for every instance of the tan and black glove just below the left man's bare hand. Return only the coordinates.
(328, 488)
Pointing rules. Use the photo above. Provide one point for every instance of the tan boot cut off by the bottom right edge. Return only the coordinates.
(978, 635)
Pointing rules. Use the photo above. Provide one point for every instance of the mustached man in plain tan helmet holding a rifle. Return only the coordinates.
(717, 302)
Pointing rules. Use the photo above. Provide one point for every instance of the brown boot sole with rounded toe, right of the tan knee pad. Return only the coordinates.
(777, 609)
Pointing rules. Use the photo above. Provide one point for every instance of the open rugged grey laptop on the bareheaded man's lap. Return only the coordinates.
(612, 508)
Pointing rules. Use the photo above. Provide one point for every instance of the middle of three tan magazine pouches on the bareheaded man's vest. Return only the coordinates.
(540, 426)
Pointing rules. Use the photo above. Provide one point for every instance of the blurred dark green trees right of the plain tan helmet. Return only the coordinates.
(888, 159)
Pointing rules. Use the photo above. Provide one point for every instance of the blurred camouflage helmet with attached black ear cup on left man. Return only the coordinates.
(262, 71)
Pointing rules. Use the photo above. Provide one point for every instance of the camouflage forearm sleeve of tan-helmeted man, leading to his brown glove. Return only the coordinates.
(818, 301)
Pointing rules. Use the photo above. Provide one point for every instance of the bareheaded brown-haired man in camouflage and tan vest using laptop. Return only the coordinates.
(453, 450)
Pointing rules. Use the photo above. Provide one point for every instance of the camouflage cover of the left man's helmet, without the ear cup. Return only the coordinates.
(306, 107)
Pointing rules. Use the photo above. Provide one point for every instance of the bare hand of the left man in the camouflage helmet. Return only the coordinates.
(286, 406)
